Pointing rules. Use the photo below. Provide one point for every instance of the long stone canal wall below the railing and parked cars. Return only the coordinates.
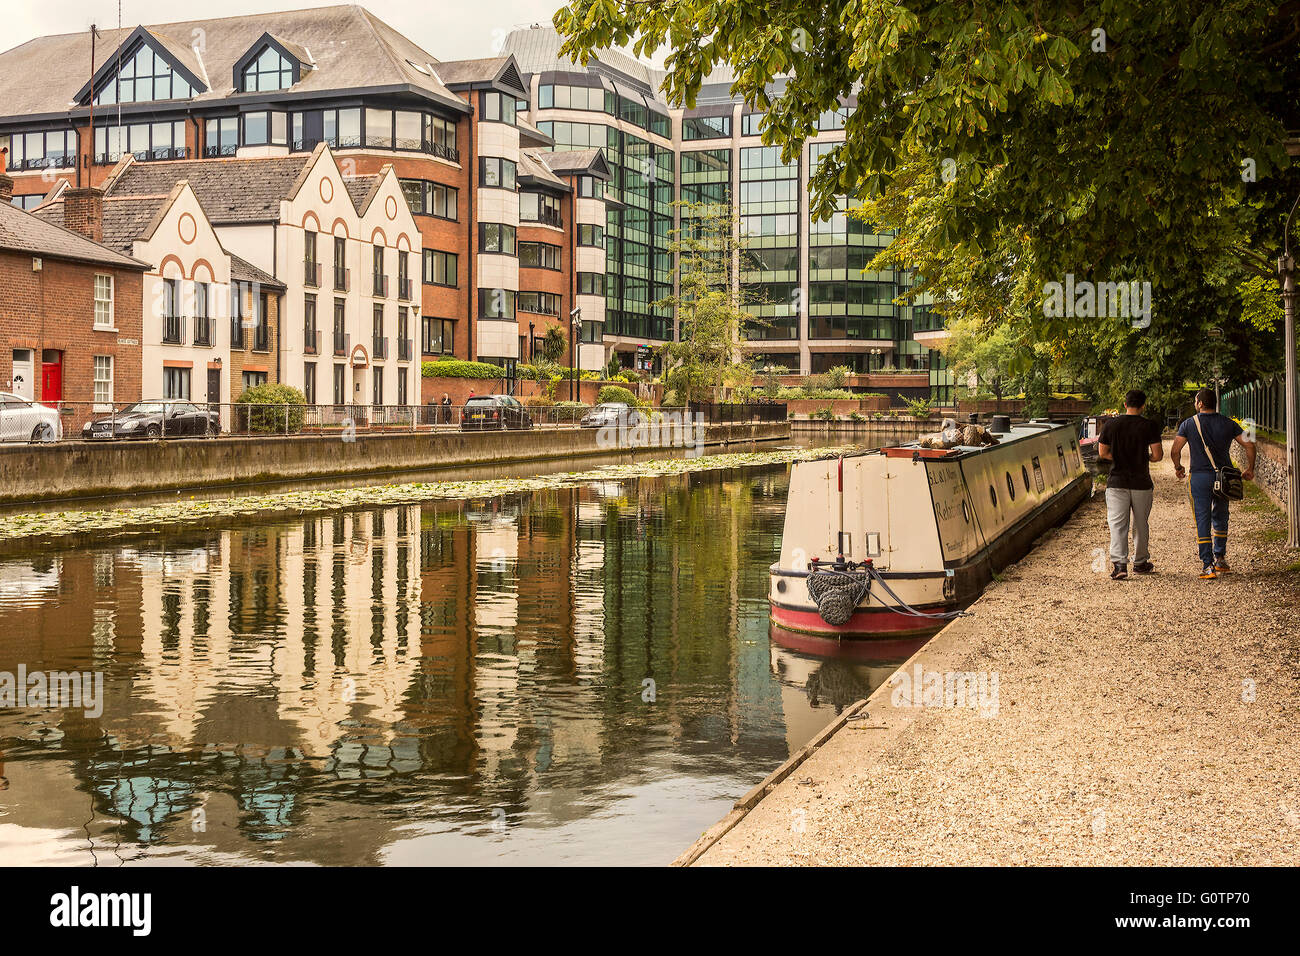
(71, 470)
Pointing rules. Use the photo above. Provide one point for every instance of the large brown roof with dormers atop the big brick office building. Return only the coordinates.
(350, 49)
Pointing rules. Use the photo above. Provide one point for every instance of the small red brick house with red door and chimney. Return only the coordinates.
(71, 313)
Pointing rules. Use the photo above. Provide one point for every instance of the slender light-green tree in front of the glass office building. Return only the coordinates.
(709, 305)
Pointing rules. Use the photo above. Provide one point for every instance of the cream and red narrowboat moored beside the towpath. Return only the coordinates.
(899, 540)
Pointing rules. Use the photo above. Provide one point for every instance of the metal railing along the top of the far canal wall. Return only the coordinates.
(179, 419)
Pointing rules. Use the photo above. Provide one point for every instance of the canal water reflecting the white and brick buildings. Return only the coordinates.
(579, 676)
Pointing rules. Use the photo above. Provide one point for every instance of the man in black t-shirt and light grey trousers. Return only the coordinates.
(1132, 443)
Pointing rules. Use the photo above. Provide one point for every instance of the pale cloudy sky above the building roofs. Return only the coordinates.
(457, 31)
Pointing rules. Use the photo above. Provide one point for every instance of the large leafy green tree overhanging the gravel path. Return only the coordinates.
(1013, 145)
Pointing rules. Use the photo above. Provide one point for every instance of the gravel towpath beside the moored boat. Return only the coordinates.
(1151, 721)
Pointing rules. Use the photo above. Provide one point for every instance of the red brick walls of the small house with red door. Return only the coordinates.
(55, 310)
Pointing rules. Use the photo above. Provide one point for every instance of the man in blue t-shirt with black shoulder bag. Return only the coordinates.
(1210, 438)
